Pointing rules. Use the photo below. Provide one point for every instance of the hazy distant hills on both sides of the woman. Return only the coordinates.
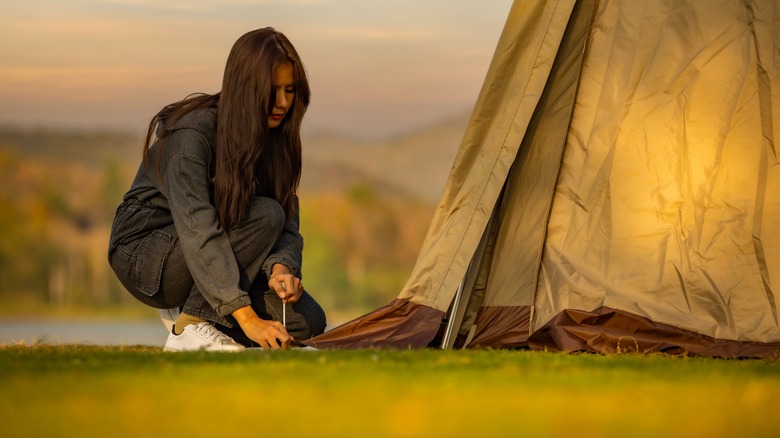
(415, 165)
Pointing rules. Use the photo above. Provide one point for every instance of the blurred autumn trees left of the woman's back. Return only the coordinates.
(54, 223)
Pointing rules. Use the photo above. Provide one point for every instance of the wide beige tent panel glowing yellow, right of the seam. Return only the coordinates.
(668, 199)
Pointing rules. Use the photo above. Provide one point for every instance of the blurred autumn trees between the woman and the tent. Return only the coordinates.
(360, 246)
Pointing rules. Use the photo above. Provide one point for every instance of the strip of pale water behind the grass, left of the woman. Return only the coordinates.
(82, 332)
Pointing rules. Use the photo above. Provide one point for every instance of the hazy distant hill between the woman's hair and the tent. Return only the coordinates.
(418, 163)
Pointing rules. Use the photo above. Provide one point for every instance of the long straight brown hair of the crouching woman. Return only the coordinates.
(251, 159)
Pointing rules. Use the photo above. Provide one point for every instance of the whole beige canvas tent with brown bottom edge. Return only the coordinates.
(617, 189)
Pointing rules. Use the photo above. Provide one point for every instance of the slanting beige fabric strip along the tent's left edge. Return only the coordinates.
(518, 72)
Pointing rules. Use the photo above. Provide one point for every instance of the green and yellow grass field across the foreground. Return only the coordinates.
(141, 391)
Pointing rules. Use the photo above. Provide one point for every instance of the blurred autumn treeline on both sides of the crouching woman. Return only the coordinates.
(58, 194)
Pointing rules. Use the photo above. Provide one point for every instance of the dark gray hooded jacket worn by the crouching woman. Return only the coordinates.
(182, 194)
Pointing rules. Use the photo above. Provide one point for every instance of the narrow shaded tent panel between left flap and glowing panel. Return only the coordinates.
(512, 268)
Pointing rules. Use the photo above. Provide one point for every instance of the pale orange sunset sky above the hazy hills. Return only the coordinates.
(376, 67)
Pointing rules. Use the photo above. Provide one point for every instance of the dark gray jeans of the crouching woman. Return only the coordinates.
(252, 241)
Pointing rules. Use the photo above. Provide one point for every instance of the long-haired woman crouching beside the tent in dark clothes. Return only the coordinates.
(210, 223)
